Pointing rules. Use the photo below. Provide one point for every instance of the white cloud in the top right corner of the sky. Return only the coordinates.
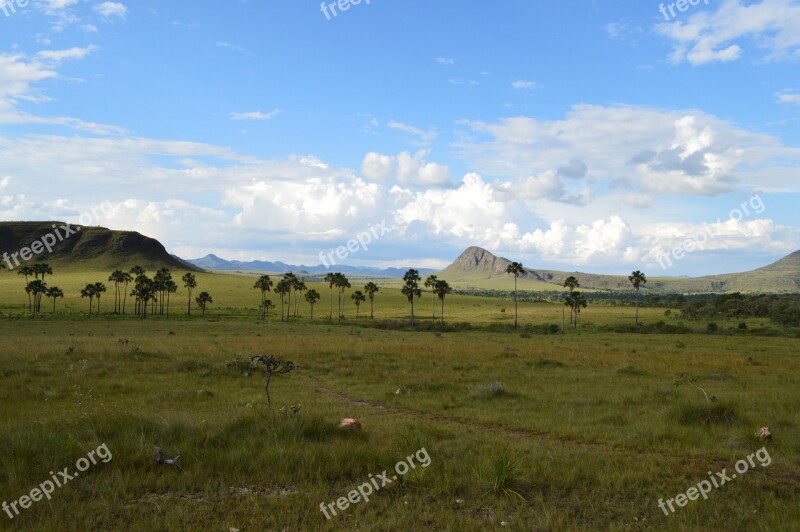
(770, 25)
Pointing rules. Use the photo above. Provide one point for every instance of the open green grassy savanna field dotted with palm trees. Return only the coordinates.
(525, 430)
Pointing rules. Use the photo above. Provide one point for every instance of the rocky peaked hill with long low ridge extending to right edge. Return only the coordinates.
(478, 268)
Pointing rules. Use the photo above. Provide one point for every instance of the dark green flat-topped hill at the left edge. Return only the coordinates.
(94, 248)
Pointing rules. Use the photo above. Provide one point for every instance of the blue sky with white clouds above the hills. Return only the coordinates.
(586, 135)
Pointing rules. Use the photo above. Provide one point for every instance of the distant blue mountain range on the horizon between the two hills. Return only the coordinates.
(213, 262)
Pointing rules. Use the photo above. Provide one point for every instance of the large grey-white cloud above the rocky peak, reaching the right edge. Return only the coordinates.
(683, 152)
